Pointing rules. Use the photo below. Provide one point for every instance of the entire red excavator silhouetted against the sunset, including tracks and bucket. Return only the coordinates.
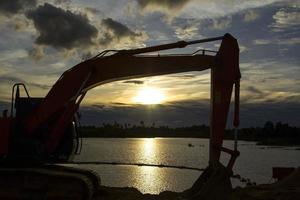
(41, 133)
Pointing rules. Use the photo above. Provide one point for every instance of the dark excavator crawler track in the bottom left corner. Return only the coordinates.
(47, 182)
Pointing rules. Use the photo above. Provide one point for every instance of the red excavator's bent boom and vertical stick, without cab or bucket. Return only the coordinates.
(64, 98)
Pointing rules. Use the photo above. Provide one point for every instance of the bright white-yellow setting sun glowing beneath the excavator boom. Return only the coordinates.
(149, 95)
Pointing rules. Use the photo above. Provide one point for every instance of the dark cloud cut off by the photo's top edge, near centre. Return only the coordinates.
(169, 4)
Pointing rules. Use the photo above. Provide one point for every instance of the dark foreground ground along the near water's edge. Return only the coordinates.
(286, 189)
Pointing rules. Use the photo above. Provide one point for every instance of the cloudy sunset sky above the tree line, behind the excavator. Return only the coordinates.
(39, 40)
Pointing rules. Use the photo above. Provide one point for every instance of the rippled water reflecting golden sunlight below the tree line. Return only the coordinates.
(255, 162)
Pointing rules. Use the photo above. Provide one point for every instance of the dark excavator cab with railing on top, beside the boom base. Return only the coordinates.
(30, 149)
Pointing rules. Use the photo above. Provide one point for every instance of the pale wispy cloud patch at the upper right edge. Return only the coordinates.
(285, 18)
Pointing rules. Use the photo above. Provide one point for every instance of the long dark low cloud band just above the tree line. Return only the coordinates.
(192, 113)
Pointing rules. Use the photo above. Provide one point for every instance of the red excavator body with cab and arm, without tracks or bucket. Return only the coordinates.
(43, 130)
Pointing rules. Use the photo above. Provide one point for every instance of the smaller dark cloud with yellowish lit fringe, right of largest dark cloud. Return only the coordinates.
(114, 32)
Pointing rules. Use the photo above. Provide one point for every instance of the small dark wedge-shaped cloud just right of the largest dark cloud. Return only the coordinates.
(115, 30)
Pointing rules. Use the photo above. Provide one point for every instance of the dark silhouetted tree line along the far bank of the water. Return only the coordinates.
(278, 133)
